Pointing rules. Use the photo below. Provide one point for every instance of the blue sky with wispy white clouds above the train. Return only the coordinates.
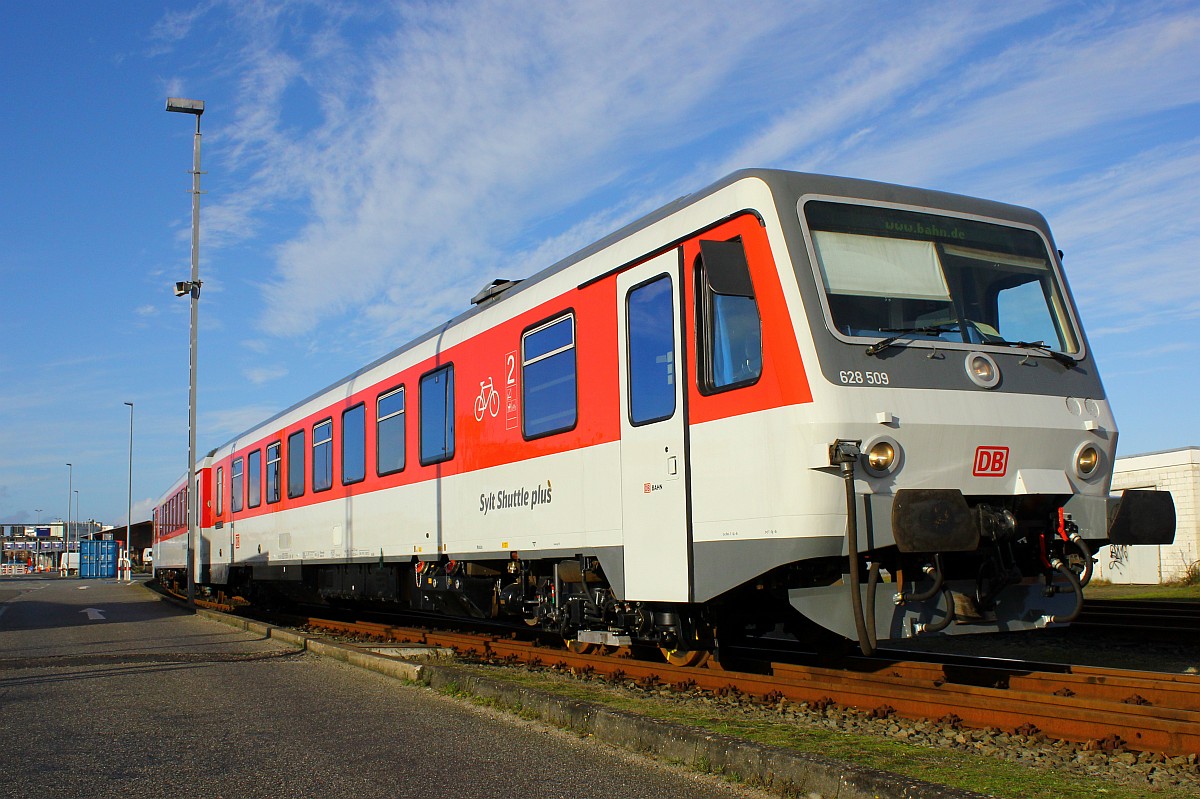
(369, 166)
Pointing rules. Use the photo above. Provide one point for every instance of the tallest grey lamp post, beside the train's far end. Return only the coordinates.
(195, 107)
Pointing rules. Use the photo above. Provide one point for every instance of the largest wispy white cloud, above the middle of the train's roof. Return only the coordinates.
(470, 124)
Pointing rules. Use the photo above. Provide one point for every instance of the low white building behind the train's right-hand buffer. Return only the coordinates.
(1175, 471)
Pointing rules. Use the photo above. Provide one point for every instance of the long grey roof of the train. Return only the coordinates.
(783, 184)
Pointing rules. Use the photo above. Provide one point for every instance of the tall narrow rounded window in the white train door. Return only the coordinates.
(650, 316)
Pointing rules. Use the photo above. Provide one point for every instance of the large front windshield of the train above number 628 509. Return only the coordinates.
(937, 278)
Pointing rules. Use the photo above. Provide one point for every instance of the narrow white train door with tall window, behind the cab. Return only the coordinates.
(653, 434)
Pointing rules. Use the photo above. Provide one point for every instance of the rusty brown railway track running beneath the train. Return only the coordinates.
(1101, 708)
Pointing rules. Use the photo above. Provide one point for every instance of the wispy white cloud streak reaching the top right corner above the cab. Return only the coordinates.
(1060, 94)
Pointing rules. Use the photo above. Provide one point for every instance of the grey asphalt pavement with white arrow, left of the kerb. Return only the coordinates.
(107, 692)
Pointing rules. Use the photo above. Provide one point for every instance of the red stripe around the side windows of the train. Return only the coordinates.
(491, 443)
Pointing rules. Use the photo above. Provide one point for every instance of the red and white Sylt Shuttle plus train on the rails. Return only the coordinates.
(787, 402)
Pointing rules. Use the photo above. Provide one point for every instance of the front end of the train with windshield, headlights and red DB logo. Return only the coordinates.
(965, 419)
